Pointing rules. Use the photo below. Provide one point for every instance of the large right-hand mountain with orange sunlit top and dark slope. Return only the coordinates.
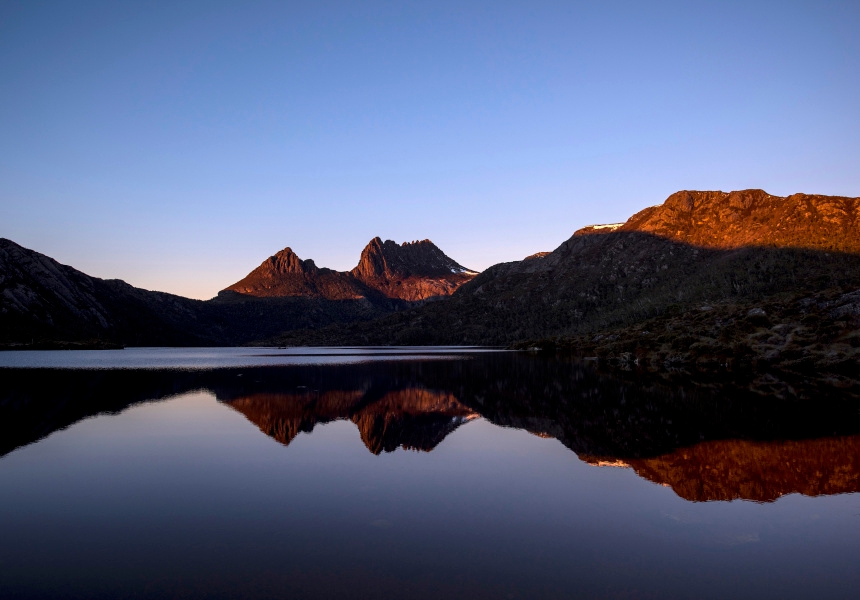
(696, 247)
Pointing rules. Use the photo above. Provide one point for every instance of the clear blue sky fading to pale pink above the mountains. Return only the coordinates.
(176, 145)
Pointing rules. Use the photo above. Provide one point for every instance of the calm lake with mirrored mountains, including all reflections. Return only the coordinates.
(414, 473)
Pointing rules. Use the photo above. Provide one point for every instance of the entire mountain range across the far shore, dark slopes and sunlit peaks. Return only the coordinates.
(709, 246)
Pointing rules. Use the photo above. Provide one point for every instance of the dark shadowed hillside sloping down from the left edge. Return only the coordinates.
(46, 304)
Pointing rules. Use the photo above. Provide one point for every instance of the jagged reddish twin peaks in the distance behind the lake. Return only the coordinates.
(411, 272)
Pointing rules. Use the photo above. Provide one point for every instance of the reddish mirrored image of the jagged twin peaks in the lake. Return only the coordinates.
(412, 418)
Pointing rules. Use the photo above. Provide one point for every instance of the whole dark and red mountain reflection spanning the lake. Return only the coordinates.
(706, 444)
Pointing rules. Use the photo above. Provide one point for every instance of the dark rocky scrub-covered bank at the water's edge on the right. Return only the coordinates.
(790, 344)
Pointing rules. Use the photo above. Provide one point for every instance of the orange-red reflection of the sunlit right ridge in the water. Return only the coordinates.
(747, 470)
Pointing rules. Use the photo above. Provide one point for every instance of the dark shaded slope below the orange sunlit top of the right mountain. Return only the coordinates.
(599, 282)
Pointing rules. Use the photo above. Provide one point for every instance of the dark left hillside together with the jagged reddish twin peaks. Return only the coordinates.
(46, 304)
